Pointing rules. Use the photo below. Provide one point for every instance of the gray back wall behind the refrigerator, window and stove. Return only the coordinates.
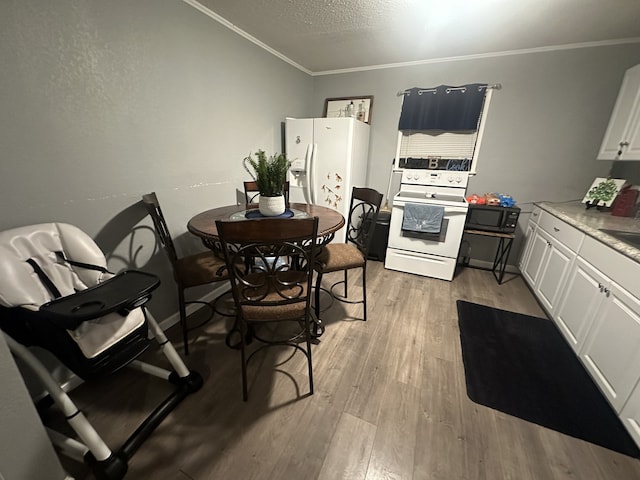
(543, 130)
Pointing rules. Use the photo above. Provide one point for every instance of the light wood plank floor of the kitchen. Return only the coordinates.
(390, 401)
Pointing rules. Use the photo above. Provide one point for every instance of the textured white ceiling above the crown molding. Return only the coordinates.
(345, 34)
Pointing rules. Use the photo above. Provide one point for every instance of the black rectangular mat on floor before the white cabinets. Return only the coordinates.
(521, 365)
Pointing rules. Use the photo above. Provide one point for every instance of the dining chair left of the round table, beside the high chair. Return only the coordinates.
(189, 271)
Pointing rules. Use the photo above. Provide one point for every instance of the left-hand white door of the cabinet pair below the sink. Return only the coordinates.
(582, 297)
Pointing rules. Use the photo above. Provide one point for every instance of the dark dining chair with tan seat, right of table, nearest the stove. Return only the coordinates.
(334, 257)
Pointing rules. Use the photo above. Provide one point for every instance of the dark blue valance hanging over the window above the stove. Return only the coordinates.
(444, 108)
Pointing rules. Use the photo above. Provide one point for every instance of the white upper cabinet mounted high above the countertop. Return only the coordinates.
(622, 138)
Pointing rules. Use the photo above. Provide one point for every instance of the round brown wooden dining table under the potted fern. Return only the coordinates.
(203, 225)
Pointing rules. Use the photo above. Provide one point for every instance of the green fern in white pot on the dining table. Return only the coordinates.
(270, 174)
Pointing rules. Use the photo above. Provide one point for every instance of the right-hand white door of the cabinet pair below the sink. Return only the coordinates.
(612, 349)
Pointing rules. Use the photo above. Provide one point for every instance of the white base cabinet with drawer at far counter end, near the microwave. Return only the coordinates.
(552, 251)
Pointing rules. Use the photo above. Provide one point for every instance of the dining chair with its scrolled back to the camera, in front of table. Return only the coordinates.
(270, 263)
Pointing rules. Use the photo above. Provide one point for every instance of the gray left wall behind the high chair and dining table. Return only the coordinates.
(104, 101)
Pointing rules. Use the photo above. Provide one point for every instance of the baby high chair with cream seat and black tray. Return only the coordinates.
(57, 294)
